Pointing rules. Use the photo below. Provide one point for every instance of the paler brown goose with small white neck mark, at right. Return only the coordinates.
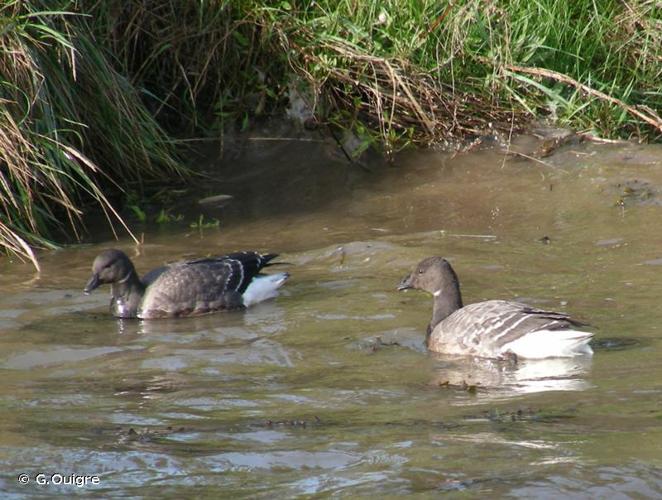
(494, 328)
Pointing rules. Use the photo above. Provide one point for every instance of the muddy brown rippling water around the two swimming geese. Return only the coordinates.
(328, 389)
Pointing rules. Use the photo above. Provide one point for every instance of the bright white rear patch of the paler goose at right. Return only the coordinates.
(551, 343)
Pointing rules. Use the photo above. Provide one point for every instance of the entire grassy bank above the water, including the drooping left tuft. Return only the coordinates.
(93, 93)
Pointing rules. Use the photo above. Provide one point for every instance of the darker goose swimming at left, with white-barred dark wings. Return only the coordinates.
(184, 288)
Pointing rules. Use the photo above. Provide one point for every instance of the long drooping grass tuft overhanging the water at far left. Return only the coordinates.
(70, 127)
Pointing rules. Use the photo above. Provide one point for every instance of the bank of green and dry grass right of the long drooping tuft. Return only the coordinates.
(401, 71)
